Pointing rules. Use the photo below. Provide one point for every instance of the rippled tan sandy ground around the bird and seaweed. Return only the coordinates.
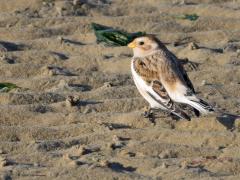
(48, 49)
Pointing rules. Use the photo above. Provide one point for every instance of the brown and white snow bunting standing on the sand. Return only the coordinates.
(161, 79)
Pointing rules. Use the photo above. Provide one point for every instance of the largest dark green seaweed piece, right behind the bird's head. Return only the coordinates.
(113, 37)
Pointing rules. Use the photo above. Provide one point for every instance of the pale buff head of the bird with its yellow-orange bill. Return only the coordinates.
(144, 45)
